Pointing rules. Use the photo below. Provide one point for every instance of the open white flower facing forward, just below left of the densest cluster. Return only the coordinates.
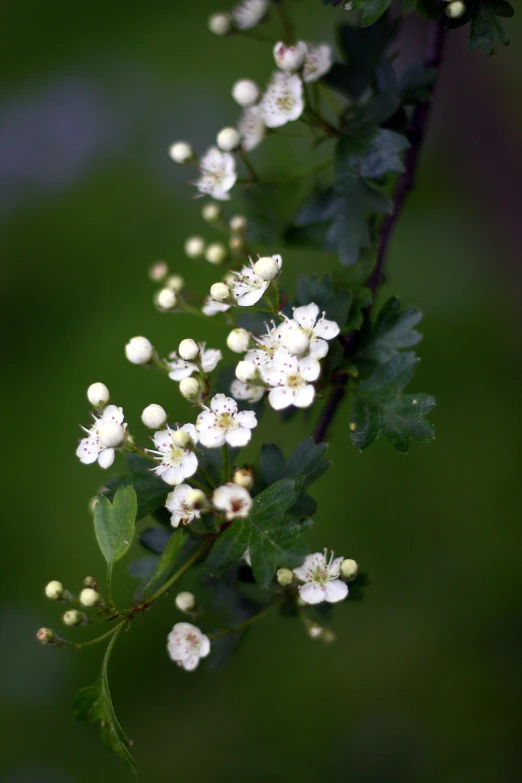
(223, 423)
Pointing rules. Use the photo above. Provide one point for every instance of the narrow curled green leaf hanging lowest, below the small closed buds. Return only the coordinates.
(94, 703)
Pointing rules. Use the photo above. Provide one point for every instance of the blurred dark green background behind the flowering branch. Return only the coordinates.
(424, 681)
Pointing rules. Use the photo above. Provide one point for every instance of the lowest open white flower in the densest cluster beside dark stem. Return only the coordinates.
(290, 376)
